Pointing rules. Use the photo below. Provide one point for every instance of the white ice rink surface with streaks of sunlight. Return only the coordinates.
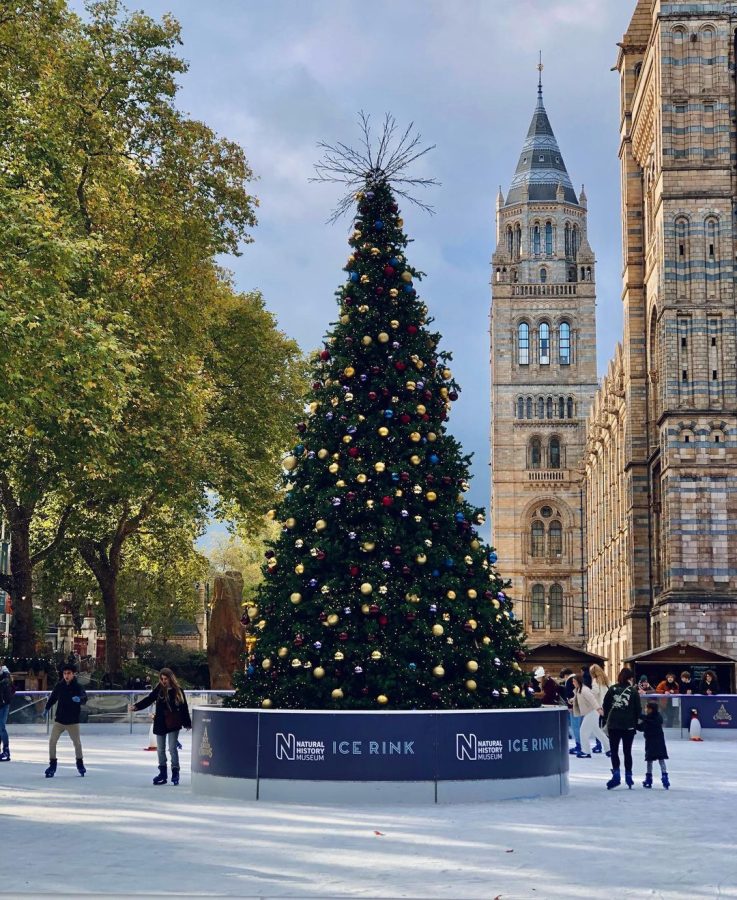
(113, 833)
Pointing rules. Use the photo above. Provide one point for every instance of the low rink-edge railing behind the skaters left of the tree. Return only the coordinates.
(102, 707)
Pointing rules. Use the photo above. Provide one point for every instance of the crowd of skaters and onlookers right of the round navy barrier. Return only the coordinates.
(605, 717)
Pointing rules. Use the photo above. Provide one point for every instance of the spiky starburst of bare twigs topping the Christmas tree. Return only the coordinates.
(366, 166)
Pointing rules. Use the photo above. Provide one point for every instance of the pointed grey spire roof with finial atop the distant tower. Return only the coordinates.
(540, 168)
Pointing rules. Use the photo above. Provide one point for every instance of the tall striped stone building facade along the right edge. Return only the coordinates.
(661, 452)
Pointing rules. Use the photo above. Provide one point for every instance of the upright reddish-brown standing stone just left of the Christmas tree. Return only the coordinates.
(225, 633)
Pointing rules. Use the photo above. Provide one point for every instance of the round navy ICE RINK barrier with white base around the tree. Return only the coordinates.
(318, 756)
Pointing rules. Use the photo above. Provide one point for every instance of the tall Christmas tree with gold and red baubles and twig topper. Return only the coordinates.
(379, 592)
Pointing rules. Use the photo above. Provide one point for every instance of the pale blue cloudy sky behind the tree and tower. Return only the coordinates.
(278, 76)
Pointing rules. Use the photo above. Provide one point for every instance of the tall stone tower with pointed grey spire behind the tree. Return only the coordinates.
(543, 376)
